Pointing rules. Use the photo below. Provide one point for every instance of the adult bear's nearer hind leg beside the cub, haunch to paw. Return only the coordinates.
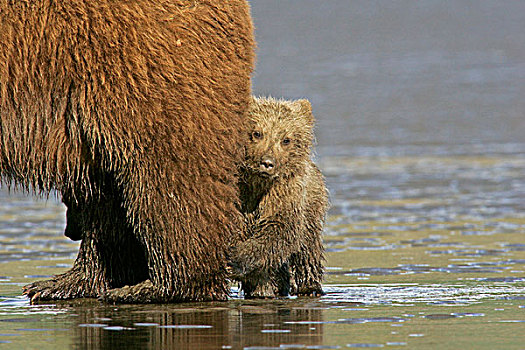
(179, 186)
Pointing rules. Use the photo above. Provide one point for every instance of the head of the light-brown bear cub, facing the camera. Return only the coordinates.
(280, 137)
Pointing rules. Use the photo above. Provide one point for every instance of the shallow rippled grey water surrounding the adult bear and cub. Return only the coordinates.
(420, 128)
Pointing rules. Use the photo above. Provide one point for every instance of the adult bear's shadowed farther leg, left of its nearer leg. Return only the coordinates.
(109, 255)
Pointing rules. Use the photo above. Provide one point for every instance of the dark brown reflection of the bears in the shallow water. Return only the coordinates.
(232, 325)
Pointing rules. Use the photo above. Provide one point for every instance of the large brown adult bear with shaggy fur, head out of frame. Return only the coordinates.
(128, 109)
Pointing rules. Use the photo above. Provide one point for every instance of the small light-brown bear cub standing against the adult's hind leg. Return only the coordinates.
(284, 203)
